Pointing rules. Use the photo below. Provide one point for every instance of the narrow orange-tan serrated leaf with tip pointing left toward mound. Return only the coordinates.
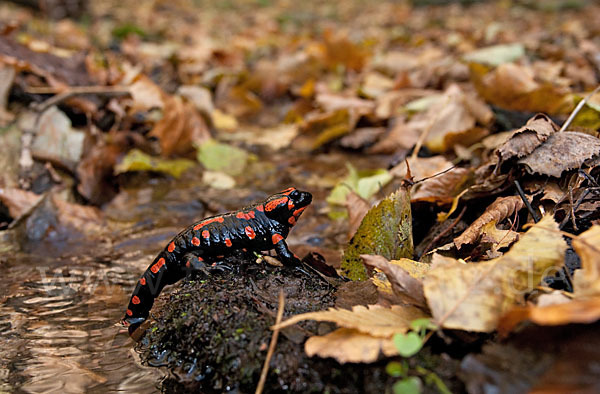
(374, 320)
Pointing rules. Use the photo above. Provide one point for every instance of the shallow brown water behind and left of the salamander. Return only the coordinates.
(62, 296)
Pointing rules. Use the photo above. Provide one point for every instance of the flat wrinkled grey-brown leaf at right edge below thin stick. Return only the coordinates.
(561, 152)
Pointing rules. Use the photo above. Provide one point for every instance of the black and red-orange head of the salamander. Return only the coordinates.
(287, 206)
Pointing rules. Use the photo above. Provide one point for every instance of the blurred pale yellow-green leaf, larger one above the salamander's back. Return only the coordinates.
(216, 156)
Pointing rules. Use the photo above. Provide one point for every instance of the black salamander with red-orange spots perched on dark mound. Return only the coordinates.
(258, 227)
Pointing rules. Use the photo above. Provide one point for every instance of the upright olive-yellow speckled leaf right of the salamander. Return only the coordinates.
(385, 230)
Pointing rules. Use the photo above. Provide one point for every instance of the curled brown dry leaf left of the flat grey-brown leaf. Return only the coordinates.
(526, 139)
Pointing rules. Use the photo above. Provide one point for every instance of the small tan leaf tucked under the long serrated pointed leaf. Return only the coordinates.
(349, 346)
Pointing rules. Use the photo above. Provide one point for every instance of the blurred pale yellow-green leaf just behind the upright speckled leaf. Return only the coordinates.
(364, 183)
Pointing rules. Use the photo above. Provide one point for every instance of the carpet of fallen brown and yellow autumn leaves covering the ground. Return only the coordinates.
(412, 125)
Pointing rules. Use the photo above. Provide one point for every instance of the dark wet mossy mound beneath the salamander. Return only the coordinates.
(212, 333)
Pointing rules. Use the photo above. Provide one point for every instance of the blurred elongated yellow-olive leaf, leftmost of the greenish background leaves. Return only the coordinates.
(136, 160)
